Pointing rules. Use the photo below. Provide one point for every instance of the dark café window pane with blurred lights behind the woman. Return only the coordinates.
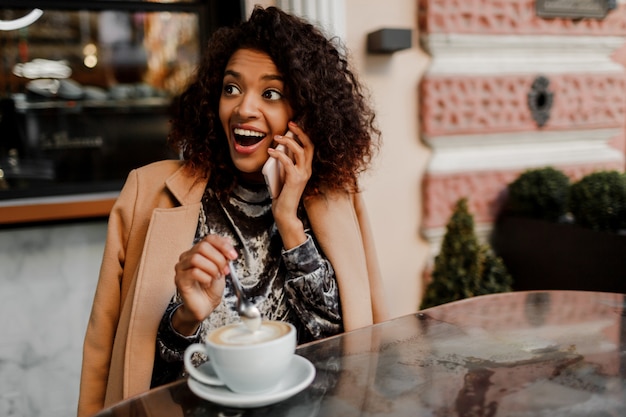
(86, 96)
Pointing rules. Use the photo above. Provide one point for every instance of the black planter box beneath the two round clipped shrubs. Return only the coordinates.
(547, 256)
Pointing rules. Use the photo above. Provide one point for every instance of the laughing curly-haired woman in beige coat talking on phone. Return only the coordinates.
(306, 256)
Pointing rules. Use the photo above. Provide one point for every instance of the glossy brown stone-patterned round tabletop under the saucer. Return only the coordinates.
(550, 353)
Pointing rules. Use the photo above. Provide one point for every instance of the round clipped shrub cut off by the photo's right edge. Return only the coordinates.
(598, 201)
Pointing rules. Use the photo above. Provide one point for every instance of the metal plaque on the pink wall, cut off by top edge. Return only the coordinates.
(574, 9)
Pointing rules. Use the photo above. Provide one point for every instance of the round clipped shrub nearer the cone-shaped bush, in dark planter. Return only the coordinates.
(540, 193)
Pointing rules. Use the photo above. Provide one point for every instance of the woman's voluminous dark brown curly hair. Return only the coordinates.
(328, 101)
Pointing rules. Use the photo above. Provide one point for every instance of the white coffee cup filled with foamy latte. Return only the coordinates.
(246, 362)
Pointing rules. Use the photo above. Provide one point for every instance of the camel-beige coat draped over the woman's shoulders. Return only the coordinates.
(153, 221)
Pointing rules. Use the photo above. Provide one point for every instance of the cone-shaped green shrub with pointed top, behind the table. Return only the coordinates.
(464, 267)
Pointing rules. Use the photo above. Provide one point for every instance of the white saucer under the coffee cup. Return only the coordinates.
(300, 374)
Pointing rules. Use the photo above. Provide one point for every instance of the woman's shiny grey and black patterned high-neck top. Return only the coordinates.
(297, 285)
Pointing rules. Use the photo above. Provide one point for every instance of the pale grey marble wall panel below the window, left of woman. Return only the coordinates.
(48, 275)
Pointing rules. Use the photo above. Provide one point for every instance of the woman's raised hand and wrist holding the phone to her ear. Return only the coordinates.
(297, 171)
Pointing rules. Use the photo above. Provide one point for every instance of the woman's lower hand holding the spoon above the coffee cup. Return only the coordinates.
(200, 281)
